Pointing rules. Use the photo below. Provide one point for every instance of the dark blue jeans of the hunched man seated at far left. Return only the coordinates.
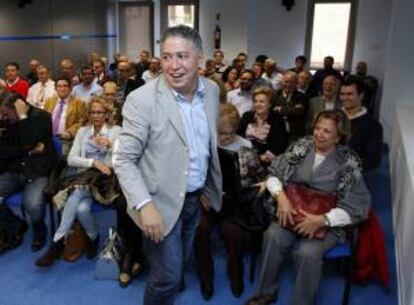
(33, 200)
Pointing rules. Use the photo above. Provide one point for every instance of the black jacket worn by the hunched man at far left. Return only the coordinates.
(17, 140)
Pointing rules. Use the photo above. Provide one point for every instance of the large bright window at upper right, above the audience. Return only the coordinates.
(331, 27)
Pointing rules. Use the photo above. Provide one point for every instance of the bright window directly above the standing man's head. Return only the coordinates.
(175, 12)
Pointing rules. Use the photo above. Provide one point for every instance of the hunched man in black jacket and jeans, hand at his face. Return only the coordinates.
(27, 155)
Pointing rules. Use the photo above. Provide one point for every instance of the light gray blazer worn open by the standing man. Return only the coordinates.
(152, 156)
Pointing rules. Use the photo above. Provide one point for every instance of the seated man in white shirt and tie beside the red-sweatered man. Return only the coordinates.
(43, 89)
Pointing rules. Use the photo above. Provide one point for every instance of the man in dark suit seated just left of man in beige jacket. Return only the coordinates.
(291, 105)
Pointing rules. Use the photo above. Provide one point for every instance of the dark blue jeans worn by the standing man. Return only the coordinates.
(168, 258)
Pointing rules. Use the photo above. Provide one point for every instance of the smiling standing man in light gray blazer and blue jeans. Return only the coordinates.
(167, 161)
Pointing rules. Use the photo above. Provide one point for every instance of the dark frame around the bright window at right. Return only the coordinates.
(350, 42)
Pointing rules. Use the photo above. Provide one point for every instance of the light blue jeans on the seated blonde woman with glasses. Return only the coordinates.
(77, 205)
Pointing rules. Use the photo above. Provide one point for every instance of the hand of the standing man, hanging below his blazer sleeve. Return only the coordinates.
(151, 222)
